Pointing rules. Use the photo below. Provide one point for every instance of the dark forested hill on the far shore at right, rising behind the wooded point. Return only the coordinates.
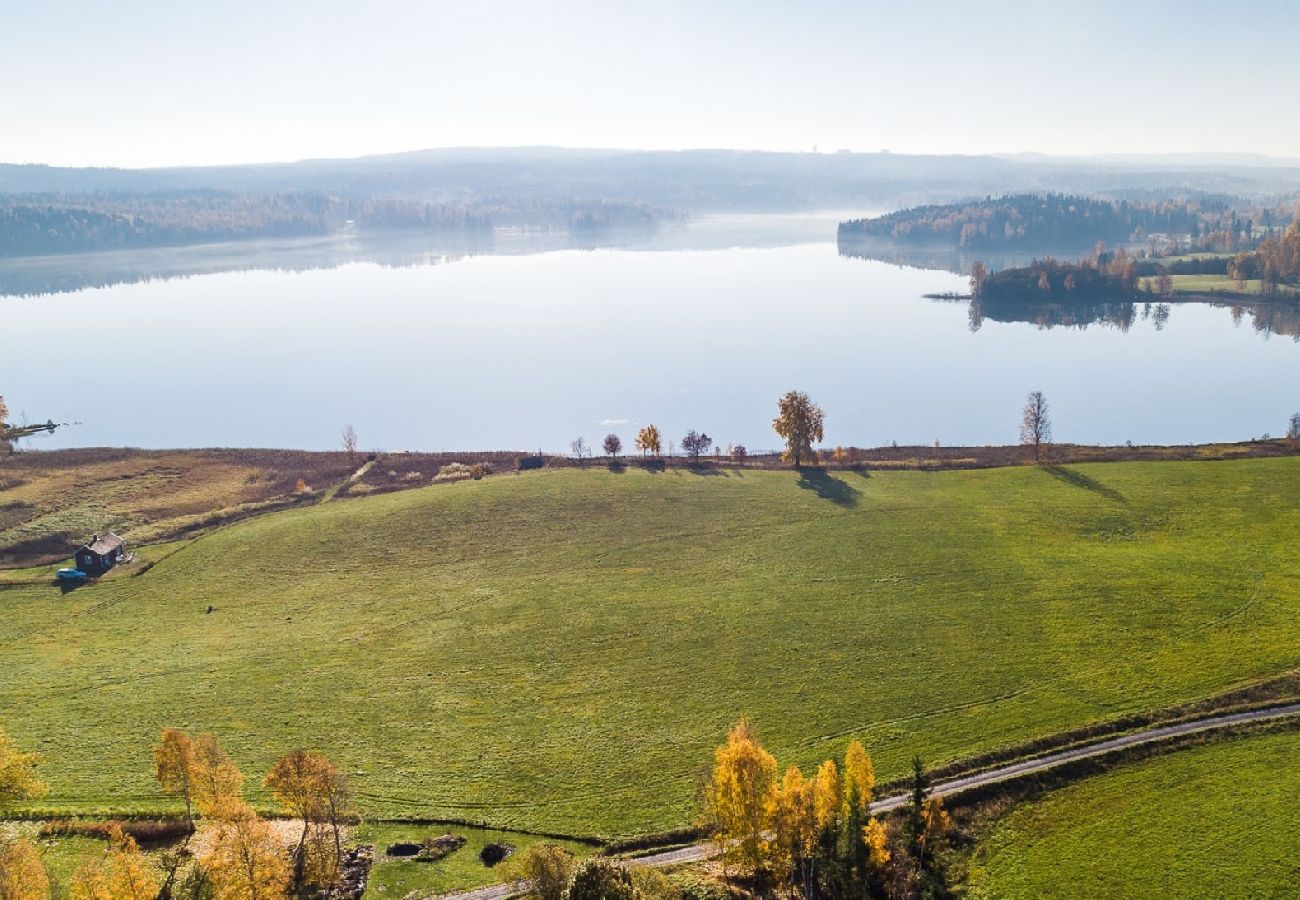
(1034, 220)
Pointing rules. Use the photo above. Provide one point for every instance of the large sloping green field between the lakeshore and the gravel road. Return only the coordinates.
(562, 651)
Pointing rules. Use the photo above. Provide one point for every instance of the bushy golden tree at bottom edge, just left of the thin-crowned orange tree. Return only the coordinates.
(245, 862)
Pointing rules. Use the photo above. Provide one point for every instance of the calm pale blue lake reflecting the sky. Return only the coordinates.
(528, 341)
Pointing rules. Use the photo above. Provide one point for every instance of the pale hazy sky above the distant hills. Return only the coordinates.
(161, 83)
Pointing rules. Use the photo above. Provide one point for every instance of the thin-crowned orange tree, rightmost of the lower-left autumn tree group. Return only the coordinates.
(313, 790)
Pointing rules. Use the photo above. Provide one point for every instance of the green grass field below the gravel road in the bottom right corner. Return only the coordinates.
(1215, 821)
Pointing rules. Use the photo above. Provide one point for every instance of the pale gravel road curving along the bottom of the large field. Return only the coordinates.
(699, 853)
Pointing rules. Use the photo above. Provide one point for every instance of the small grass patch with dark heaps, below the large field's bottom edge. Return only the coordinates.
(462, 871)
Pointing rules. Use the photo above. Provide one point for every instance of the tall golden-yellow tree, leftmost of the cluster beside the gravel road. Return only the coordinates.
(742, 798)
